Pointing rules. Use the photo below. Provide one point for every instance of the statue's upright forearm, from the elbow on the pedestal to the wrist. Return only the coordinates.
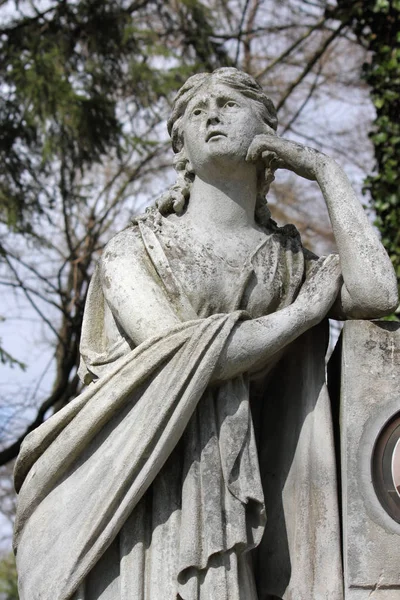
(369, 289)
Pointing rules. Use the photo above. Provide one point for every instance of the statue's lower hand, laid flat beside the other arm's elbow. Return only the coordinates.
(321, 287)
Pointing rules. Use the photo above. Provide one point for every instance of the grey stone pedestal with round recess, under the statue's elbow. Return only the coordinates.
(369, 406)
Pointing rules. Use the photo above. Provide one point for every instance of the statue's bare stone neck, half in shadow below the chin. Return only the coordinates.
(228, 204)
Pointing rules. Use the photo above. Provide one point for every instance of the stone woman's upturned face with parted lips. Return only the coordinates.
(219, 125)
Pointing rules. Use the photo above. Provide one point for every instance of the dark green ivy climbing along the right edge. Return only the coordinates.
(377, 25)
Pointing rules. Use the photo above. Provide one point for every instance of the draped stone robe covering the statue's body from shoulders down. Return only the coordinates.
(155, 484)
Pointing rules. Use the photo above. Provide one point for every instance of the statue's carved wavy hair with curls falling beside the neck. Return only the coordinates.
(175, 199)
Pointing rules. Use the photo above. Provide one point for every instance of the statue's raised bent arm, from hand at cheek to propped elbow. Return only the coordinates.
(369, 289)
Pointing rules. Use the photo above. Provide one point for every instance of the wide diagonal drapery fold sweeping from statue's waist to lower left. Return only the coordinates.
(76, 486)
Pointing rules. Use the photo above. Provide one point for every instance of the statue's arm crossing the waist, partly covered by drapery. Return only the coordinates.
(142, 308)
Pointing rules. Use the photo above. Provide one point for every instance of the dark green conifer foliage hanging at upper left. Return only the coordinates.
(65, 72)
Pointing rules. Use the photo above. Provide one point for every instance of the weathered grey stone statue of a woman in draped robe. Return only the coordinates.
(199, 462)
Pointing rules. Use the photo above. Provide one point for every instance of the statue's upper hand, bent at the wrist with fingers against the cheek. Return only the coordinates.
(285, 154)
